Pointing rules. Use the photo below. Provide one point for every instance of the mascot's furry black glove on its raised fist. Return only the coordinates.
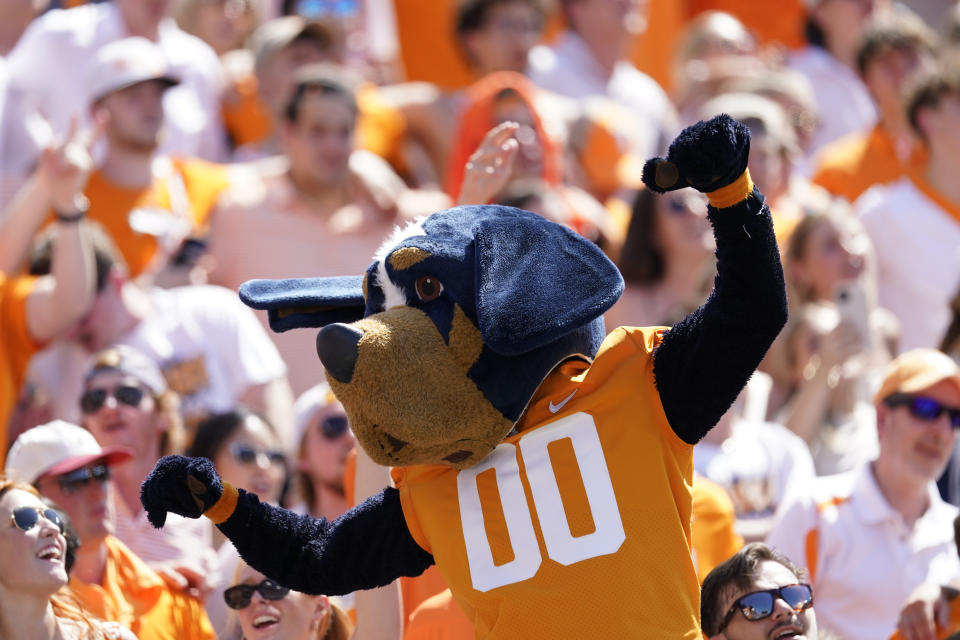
(706, 156)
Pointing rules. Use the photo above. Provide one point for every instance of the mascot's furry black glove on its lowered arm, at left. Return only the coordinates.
(185, 486)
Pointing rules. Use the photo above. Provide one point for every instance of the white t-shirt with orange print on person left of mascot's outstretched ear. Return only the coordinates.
(209, 345)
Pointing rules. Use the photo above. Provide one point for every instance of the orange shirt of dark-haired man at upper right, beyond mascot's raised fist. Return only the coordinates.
(851, 165)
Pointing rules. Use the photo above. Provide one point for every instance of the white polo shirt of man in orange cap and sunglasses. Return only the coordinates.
(865, 560)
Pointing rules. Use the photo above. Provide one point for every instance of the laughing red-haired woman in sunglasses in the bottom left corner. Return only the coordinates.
(34, 601)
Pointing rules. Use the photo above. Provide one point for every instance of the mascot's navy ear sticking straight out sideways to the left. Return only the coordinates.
(306, 302)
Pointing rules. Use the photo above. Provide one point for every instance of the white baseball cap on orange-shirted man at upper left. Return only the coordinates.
(124, 63)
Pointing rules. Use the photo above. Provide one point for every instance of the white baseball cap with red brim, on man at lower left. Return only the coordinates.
(54, 448)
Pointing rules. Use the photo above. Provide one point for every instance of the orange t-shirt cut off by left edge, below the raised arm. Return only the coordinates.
(16, 347)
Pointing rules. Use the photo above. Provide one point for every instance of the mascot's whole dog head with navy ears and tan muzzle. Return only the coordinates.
(454, 326)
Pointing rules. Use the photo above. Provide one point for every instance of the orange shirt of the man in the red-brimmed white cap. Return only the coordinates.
(132, 594)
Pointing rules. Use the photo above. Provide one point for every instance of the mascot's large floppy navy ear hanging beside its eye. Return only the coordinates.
(537, 281)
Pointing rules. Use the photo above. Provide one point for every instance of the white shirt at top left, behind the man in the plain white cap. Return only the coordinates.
(48, 70)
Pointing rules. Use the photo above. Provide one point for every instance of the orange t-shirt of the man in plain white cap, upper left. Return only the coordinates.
(190, 190)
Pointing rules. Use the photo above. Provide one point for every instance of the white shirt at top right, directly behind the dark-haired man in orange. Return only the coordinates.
(843, 103)
